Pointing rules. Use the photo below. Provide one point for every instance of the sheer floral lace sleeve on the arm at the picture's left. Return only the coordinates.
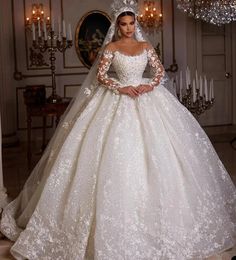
(103, 68)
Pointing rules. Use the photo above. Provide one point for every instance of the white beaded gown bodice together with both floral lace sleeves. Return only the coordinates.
(129, 69)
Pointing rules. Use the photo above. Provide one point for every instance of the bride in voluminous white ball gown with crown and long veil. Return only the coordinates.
(129, 173)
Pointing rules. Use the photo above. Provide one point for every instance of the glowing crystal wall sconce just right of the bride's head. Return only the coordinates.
(150, 17)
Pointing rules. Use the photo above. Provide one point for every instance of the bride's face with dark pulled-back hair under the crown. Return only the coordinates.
(126, 25)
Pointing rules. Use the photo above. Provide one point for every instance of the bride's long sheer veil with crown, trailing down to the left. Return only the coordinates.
(38, 177)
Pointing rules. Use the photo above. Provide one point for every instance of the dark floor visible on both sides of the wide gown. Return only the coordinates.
(15, 168)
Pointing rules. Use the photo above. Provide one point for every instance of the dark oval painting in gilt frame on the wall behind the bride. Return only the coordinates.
(90, 34)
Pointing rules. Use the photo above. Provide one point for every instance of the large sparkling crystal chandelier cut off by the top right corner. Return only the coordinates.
(217, 12)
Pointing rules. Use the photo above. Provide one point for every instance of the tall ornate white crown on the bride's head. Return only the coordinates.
(120, 6)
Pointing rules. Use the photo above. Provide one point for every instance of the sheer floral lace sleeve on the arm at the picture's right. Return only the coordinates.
(156, 67)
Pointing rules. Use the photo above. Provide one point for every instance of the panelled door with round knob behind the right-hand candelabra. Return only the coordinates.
(214, 59)
